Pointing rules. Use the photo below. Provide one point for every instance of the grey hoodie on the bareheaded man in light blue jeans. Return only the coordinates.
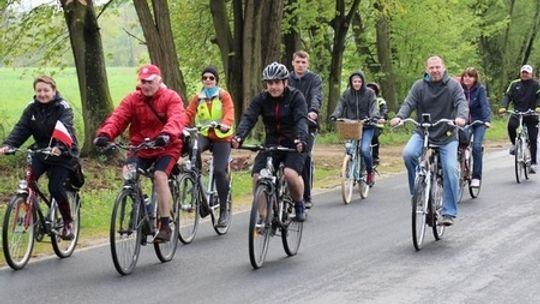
(442, 99)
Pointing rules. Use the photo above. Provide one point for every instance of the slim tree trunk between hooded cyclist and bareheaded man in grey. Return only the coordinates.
(384, 54)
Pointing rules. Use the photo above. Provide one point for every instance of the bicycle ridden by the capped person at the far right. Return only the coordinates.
(522, 154)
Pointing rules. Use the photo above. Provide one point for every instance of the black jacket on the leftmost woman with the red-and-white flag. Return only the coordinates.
(38, 120)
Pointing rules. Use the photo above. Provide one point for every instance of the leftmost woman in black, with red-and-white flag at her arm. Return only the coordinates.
(48, 118)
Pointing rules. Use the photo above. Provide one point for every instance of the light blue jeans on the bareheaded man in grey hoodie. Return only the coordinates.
(448, 153)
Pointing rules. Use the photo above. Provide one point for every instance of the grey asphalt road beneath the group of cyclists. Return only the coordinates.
(360, 253)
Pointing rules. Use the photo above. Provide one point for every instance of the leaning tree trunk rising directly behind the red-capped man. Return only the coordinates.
(156, 26)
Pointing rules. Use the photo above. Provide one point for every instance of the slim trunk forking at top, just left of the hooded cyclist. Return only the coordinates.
(340, 24)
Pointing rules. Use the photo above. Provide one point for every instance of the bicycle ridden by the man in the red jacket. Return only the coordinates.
(135, 215)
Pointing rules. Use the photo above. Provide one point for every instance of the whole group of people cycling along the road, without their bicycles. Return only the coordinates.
(289, 100)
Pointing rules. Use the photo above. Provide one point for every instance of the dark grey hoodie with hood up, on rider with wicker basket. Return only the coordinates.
(356, 104)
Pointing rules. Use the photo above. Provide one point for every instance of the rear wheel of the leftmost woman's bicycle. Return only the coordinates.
(64, 248)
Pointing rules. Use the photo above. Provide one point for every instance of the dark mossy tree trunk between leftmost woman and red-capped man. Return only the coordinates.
(87, 49)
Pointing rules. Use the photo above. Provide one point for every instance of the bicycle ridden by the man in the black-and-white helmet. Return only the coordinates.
(272, 211)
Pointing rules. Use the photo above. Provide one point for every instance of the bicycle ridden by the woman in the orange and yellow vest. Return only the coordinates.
(196, 200)
